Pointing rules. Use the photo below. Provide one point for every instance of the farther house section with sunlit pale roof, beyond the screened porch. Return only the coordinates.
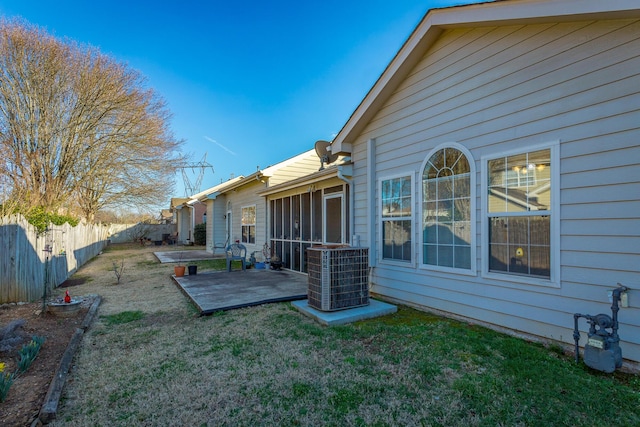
(237, 210)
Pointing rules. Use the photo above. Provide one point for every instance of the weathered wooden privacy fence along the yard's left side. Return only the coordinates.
(33, 263)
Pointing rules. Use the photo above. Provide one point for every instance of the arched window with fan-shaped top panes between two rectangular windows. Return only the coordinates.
(447, 207)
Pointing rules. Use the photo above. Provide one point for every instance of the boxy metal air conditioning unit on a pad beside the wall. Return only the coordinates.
(338, 277)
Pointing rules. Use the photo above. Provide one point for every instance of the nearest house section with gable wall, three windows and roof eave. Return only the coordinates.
(497, 166)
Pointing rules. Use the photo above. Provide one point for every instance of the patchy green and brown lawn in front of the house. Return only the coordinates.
(149, 360)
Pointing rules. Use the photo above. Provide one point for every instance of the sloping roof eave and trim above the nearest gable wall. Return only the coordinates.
(497, 13)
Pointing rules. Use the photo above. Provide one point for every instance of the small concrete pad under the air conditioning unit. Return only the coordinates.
(332, 318)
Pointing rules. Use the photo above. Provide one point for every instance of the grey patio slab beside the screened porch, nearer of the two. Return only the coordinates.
(221, 290)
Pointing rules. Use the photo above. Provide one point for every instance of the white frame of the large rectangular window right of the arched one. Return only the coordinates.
(554, 249)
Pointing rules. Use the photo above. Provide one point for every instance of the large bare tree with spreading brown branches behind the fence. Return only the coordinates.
(79, 129)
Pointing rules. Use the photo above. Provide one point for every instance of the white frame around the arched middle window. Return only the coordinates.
(472, 271)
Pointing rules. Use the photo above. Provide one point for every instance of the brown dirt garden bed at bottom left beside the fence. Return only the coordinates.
(29, 389)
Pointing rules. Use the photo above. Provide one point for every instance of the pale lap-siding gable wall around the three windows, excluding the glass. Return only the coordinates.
(500, 89)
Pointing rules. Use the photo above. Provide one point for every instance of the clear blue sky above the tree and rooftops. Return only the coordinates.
(248, 83)
